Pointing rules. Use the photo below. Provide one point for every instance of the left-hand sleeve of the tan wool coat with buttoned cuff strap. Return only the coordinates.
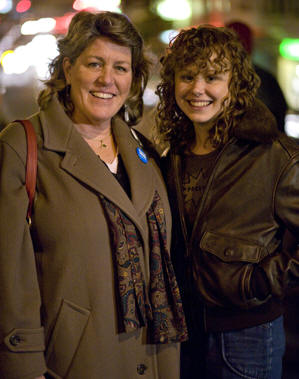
(21, 333)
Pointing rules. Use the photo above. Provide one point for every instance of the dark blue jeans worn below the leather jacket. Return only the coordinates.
(251, 353)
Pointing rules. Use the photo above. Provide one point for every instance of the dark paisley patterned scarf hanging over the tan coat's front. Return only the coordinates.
(159, 306)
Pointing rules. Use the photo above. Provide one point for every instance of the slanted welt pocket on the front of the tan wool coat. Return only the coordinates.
(67, 333)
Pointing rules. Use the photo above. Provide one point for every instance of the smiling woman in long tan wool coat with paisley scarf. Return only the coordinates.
(88, 291)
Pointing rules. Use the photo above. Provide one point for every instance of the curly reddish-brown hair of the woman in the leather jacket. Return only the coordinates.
(204, 46)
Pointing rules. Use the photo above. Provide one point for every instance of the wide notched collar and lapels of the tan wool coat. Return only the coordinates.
(81, 162)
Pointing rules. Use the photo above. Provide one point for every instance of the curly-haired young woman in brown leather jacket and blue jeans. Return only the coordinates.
(234, 187)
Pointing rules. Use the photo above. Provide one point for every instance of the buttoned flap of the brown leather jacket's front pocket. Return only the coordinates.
(230, 249)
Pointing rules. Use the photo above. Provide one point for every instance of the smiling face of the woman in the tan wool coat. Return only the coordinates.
(100, 81)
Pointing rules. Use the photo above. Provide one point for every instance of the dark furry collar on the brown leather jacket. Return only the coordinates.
(256, 124)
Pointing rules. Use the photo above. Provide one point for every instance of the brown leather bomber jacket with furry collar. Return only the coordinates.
(234, 254)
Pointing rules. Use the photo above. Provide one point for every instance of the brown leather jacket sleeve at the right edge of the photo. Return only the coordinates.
(282, 268)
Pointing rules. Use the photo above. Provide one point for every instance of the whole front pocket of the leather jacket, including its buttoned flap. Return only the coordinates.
(223, 268)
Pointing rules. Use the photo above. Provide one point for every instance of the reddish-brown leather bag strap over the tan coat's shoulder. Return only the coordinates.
(31, 164)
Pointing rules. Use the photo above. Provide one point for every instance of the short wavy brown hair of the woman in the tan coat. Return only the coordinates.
(84, 28)
